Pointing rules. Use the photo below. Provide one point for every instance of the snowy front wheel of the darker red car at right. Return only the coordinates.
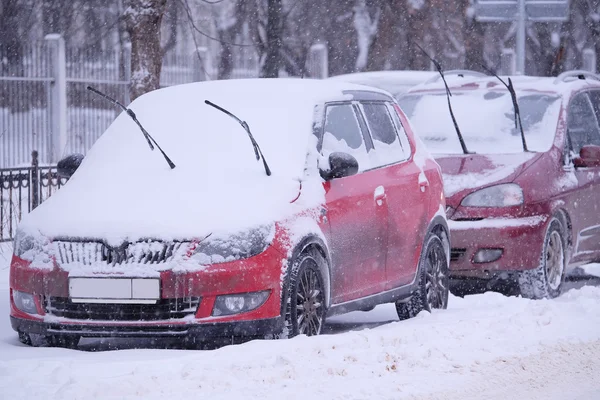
(545, 281)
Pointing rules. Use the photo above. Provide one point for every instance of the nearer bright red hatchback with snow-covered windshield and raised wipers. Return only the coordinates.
(319, 202)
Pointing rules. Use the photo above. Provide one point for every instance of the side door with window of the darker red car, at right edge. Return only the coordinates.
(582, 122)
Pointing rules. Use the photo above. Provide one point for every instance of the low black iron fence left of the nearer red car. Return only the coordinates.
(22, 190)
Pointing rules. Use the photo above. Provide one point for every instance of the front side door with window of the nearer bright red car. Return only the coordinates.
(356, 210)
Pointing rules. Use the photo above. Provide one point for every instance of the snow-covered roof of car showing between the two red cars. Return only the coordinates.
(395, 82)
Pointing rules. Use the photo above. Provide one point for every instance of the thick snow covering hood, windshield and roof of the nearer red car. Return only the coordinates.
(124, 191)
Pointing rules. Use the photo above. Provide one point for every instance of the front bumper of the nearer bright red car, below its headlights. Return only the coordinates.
(57, 314)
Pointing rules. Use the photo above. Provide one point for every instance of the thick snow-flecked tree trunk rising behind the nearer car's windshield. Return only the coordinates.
(142, 22)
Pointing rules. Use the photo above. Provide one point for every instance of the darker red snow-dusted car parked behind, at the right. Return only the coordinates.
(521, 206)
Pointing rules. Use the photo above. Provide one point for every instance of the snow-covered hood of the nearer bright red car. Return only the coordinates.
(147, 208)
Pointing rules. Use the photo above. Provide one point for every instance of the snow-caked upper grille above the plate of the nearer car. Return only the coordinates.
(89, 253)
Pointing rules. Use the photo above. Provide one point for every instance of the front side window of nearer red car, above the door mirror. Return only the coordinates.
(342, 133)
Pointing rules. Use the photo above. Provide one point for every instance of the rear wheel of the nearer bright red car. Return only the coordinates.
(432, 290)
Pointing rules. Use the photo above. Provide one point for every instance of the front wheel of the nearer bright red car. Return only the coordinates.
(305, 302)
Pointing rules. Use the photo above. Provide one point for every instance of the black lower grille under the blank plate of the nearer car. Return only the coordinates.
(164, 309)
